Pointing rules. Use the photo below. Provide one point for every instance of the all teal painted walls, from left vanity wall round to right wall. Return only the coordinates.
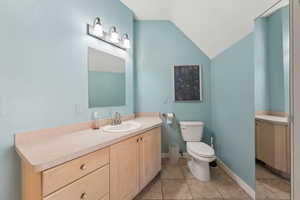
(44, 79)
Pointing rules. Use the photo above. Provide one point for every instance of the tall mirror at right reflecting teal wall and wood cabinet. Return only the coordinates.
(272, 126)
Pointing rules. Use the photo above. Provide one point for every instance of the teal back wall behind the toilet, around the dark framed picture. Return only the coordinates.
(159, 46)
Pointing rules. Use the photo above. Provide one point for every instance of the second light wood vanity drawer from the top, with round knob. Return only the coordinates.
(94, 186)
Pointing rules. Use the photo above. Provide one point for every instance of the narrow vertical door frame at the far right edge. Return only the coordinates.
(295, 95)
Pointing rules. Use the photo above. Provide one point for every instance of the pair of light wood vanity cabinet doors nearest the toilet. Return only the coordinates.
(133, 164)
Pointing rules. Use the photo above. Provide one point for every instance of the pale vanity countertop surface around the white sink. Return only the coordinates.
(46, 153)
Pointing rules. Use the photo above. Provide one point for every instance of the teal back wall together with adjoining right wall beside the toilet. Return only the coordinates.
(228, 106)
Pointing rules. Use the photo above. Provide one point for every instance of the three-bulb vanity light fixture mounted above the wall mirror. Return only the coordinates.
(111, 37)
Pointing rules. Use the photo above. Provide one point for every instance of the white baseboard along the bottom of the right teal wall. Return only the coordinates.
(237, 179)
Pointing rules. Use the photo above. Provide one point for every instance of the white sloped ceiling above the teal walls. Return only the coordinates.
(213, 25)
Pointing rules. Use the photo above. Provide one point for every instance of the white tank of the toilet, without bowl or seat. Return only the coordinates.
(192, 131)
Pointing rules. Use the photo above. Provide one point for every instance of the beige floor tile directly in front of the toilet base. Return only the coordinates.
(203, 189)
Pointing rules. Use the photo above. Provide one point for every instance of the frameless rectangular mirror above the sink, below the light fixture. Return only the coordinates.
(106, 79)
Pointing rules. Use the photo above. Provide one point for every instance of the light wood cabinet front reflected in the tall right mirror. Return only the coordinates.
(273, 145)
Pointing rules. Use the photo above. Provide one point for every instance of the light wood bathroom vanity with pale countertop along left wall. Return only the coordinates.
(61, 164)
